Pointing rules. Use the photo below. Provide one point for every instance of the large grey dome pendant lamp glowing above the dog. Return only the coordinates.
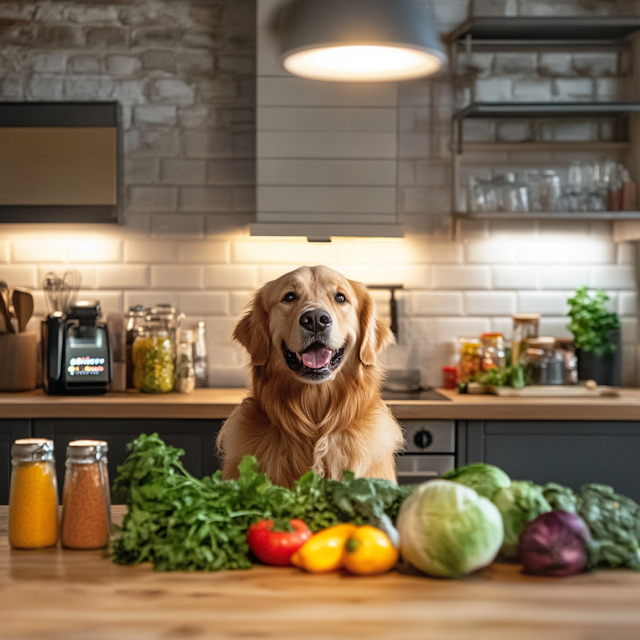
(360, 40)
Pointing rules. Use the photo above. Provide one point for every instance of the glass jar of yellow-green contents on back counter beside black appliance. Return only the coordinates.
(152, 354)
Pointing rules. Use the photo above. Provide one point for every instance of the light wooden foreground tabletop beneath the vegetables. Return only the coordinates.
(58, 594)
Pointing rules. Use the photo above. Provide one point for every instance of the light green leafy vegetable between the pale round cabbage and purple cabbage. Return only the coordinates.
(519, 503)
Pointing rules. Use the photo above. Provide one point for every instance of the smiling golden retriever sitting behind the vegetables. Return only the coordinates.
(314, 338)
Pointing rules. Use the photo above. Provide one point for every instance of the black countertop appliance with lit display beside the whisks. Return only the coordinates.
(76, 355)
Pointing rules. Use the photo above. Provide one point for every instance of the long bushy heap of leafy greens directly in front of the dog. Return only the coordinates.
(178, 522)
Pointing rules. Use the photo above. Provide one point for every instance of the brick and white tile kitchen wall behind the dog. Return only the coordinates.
(184, 72)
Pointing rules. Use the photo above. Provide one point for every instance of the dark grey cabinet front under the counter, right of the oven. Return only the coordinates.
(569, 452)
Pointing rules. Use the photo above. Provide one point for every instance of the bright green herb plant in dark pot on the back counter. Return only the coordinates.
(596, 336)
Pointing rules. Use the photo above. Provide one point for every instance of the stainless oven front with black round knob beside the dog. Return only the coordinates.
(430, 447)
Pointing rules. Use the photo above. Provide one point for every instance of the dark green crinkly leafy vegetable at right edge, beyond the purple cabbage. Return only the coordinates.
(614, 521)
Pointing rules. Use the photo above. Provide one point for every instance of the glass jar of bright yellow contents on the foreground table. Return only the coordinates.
(33, 497)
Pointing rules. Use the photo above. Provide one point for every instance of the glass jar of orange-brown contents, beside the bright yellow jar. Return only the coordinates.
(85, 503)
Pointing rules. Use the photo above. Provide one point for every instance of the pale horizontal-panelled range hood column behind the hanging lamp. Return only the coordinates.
(326, 152)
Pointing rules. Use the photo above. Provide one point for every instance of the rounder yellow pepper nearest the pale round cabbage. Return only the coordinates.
(368, 551)
